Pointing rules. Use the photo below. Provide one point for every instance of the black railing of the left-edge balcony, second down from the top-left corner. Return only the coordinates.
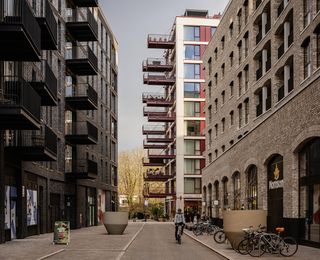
(16, 92)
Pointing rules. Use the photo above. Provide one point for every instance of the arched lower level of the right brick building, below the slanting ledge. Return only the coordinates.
(275, 167)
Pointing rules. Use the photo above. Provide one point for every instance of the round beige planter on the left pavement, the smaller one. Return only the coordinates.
(115, 222)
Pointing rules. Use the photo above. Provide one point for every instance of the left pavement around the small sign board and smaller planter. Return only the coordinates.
(90, 243)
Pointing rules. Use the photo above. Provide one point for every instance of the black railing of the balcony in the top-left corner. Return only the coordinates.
(19, 12)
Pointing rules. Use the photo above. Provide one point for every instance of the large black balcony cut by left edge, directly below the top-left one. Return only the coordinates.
(19, 104)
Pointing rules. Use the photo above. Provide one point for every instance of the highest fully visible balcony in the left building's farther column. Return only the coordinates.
(82, 26)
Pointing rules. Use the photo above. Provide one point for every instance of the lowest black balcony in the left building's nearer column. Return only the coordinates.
(30, 145)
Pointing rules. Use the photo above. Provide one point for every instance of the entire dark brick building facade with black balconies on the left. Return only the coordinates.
(58, 115)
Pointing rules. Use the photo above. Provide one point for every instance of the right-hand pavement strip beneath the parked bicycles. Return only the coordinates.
(225, 250)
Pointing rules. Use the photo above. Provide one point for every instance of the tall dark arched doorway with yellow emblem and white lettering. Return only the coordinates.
(275, 192)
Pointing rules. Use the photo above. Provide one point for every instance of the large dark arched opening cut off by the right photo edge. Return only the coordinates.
(309, 193)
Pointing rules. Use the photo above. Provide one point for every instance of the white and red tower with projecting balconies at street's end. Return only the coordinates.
(175, 136)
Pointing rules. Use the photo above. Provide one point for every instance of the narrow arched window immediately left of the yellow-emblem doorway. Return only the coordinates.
(252, 192)
